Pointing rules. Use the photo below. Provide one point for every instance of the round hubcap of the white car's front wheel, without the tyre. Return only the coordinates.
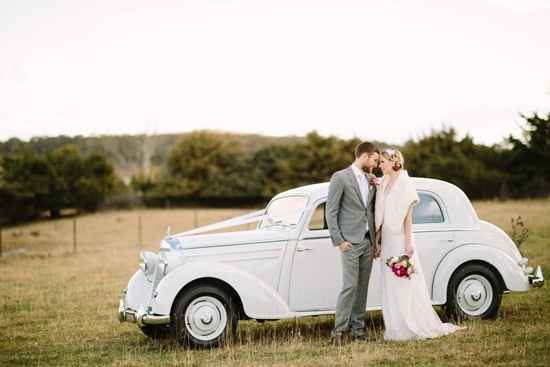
(205, 318)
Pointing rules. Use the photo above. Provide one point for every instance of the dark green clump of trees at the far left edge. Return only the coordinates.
(31, 184)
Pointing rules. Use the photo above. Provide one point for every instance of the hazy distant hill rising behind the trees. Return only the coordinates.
(131, 154)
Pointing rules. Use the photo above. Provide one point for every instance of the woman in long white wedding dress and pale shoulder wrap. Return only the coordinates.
(406, 306)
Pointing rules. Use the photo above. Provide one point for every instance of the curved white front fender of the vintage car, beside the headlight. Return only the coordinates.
(259, 300)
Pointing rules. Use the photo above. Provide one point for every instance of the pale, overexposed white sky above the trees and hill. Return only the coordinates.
(377, 70)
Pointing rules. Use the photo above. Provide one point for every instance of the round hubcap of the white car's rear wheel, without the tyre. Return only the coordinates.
(474, 295)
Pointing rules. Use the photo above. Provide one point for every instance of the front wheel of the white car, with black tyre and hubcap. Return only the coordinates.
(204, 316)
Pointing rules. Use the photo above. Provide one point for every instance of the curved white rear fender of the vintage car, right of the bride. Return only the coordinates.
(511, 273)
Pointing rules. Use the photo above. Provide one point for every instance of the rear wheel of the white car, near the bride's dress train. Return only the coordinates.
(474, 292)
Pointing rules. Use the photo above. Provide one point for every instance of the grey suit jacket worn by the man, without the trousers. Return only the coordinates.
(346, 214)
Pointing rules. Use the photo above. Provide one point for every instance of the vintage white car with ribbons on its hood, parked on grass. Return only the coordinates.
(200, 284)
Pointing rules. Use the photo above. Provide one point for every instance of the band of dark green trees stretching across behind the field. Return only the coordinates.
(207, 168)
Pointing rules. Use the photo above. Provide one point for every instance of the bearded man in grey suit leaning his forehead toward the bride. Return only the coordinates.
(350, 219)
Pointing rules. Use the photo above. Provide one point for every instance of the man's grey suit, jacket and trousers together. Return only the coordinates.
(347, 218)
